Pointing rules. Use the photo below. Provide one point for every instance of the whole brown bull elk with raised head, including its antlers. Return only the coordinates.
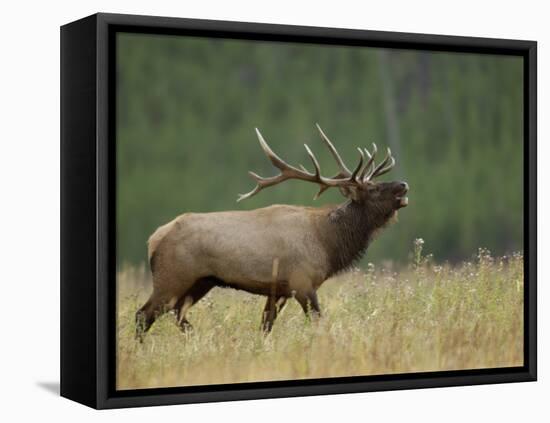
(196, 252)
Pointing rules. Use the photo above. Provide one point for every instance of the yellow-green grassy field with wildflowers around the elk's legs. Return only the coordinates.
(423, 317)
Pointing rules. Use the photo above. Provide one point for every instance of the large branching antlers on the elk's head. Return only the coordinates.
(344, 178)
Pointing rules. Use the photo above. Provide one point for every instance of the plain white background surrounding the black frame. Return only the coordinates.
(29, 169)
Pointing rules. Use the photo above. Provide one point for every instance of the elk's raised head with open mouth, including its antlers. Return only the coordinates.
(357, 185)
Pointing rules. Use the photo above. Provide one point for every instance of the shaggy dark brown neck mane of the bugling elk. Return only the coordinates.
(350, 228)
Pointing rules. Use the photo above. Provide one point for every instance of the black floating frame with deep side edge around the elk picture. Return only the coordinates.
(88, 216)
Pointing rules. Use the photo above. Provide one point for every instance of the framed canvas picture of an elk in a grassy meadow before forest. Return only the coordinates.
(290, 211)
